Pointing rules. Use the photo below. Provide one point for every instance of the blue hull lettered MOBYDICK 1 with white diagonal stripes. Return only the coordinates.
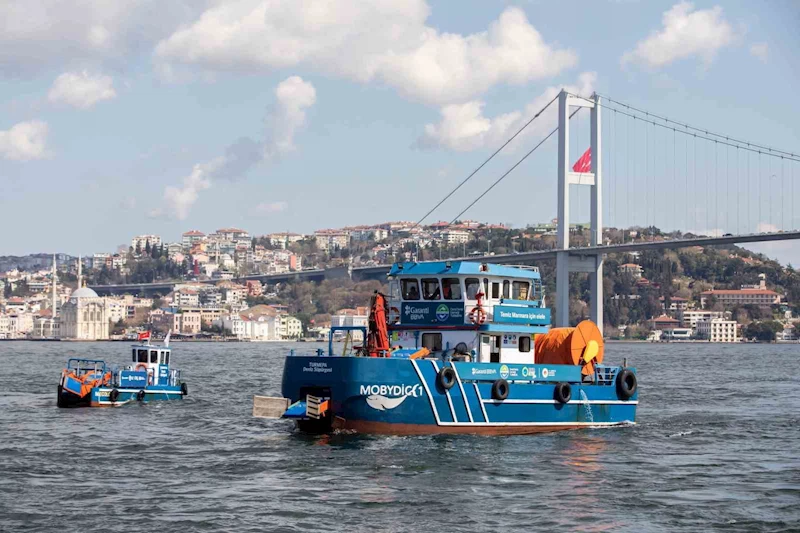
(402, 396)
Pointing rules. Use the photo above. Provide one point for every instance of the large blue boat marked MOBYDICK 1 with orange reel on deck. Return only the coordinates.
(459, 347)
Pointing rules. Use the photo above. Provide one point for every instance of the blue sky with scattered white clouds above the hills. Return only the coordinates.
(151, 117)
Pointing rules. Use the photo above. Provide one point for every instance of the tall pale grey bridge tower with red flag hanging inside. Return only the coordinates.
(567, 261)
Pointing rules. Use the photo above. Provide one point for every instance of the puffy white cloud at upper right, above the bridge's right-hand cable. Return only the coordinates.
(685, 33)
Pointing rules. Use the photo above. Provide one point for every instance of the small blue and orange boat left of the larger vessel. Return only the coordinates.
(91, 383)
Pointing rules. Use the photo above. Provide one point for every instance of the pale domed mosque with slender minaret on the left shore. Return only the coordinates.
(85, 315)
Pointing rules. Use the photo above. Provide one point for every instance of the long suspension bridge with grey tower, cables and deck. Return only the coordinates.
(642, 170)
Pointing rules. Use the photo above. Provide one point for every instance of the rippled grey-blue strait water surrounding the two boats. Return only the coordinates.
(715, 449)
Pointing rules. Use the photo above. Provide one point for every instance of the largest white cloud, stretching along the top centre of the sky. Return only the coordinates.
(385, 41)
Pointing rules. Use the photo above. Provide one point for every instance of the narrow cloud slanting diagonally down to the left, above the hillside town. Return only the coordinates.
(293, 97)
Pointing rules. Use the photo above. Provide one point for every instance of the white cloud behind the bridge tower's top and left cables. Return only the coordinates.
(463, 127)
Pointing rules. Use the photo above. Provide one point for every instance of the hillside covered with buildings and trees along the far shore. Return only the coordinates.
(720, 294)
